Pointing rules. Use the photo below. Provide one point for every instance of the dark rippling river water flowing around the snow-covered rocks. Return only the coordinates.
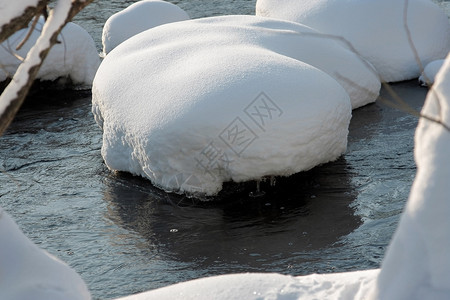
(124, 236)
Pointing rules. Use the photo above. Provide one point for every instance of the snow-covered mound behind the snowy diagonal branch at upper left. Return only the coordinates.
(74, 58)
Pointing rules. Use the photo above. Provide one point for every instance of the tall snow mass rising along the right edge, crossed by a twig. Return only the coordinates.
(417, 263)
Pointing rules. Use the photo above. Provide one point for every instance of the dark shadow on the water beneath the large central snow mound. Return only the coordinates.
(304, 212)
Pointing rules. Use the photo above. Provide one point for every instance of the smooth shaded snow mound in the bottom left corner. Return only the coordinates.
(28, 272)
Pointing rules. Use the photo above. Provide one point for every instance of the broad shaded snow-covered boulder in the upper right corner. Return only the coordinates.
(375, 28)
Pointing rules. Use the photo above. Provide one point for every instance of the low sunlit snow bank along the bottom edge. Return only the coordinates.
(351, 286)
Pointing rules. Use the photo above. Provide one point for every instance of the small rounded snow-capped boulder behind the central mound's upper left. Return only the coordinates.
(136, 18)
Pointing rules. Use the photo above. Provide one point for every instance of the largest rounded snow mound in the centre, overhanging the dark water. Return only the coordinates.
(190, 105)
